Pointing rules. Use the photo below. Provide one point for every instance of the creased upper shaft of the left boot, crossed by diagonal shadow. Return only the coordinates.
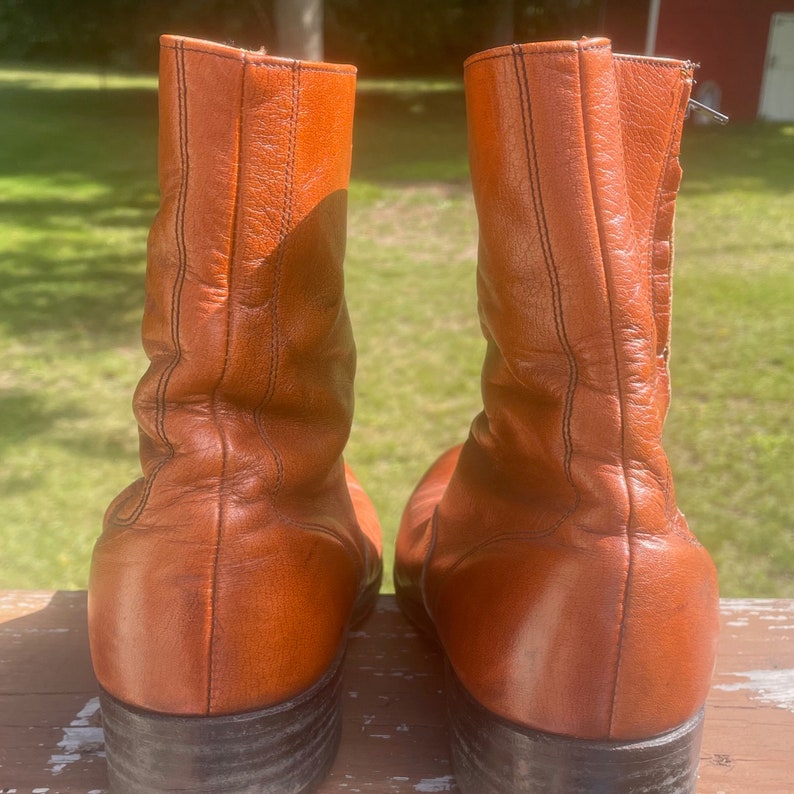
(254, 164)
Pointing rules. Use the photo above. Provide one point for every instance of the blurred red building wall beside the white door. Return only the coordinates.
(727, 37)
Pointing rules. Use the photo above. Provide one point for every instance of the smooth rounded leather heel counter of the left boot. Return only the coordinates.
(182, 624)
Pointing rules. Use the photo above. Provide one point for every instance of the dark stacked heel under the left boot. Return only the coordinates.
(283, 749)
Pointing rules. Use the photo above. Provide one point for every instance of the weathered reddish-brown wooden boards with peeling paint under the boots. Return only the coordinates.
(394, 739)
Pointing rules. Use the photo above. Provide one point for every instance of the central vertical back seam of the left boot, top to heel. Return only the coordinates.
(213, 399)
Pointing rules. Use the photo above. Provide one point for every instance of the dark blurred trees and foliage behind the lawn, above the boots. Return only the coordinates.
(386, 38)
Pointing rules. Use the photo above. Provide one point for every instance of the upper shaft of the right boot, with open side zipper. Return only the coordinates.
(575, 200)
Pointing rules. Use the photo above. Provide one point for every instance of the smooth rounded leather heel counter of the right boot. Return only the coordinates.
(608, 640)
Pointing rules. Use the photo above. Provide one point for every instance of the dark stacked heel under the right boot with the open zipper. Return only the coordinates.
(493, 756)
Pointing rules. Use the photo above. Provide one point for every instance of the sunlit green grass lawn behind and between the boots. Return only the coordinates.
(78, 191)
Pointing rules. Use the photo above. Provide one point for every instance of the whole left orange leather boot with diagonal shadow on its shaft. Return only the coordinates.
(225, 580)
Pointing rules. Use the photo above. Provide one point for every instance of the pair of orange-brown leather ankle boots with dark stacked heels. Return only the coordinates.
(546, 555)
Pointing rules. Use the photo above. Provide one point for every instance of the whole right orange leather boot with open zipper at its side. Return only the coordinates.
(576, 611)
